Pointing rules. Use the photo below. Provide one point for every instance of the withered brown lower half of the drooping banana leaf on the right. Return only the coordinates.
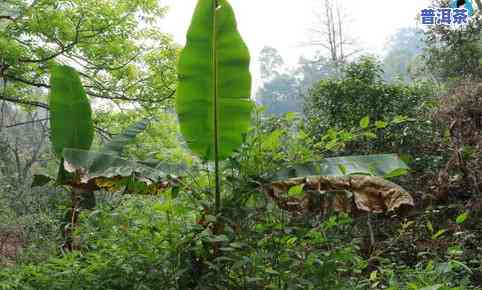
(323, 194)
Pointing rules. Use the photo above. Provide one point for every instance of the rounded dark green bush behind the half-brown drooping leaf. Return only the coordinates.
(362, 92)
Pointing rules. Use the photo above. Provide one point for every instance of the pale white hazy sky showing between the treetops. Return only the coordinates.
(286, 24)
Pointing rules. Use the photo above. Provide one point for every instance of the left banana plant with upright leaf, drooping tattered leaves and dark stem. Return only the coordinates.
(84, 171)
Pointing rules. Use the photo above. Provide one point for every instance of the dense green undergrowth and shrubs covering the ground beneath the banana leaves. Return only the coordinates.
(170, 241)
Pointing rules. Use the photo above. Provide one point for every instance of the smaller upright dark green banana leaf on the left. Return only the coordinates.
(70, 113)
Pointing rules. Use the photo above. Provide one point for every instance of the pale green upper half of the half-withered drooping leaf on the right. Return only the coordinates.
(385, 165)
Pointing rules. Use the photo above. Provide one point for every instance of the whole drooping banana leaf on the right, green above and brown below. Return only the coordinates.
(342, 184)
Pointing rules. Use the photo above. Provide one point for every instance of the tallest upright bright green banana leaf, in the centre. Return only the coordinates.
(213, 94)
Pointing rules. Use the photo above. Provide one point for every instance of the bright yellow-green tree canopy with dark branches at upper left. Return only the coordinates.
(115, 44)
